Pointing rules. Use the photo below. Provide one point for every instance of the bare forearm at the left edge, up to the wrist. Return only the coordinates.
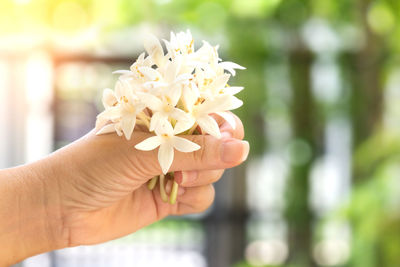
(30, 215)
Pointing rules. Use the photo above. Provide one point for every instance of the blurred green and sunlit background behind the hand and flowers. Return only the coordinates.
(322, 114)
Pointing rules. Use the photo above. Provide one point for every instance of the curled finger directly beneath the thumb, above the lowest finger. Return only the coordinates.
(197, 178)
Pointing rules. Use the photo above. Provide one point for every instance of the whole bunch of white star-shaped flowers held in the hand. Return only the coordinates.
(171, 93)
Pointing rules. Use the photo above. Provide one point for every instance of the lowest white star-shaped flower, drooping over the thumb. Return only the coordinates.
(165, 139)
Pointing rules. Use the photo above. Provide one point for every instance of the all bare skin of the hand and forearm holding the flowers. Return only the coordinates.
(95, 190)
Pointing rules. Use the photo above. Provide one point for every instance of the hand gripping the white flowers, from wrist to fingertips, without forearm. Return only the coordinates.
(97, 186)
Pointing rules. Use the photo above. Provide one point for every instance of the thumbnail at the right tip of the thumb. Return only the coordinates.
(233, 149)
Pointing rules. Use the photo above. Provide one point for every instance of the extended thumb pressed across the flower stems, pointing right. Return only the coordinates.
(213, 154)
